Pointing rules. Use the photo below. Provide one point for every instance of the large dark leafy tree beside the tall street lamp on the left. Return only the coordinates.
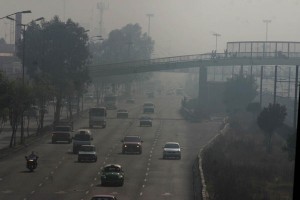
(58, 52)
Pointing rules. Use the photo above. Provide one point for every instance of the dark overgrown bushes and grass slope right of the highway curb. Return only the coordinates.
(236, 166)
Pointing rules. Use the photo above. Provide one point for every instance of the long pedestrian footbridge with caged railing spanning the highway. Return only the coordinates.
(249, 53)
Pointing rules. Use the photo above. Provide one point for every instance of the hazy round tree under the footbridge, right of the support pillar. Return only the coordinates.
(239, 92)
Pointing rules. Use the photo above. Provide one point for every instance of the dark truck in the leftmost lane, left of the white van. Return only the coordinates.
(62, 131)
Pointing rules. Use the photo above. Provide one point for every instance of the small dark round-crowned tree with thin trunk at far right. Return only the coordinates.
(269, 119)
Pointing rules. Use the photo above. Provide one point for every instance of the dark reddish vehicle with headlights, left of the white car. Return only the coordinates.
(132, 144)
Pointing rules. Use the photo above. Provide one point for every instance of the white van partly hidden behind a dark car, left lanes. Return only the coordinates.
(81, 137)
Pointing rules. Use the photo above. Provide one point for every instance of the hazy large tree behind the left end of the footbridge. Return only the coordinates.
(126, 44)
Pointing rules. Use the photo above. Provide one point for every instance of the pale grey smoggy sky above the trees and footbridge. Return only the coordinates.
(179, 27)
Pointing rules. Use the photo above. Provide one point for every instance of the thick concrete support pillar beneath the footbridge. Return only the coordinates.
(203, 87)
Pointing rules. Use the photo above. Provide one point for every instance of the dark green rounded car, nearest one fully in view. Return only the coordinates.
(112, 174)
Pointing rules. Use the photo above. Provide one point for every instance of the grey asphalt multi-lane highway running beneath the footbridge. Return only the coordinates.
(147, 176)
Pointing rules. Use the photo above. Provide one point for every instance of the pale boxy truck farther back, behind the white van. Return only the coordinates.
(97, 117)
